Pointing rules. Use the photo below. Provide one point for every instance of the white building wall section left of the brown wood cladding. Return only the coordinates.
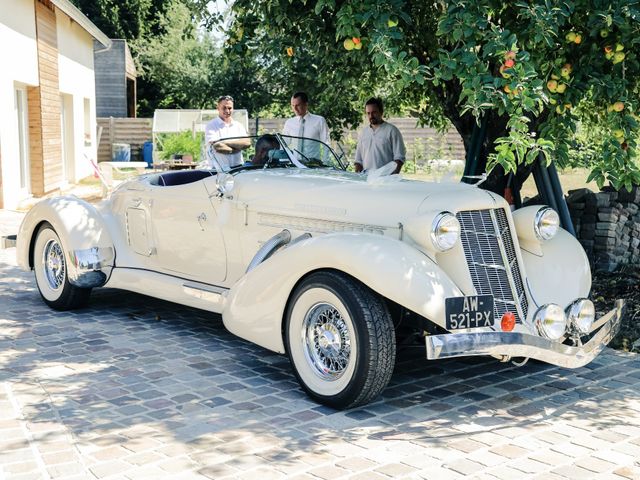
(18, 67)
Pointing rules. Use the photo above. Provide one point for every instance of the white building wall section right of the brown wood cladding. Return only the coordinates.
(77, 79)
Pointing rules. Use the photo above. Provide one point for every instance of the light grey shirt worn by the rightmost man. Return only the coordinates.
(377, 147)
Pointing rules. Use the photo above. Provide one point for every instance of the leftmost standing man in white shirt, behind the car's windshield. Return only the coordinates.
(229, 152)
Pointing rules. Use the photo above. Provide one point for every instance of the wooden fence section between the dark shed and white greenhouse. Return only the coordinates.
(134, 131)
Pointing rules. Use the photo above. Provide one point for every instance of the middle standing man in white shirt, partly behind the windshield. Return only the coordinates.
(306, 124)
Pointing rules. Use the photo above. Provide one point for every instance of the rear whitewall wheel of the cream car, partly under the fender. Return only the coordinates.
(50, 267)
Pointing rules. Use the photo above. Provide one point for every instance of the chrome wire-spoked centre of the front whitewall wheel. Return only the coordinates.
(326, 341)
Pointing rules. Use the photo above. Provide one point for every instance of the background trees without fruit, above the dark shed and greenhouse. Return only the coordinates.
(179, 64)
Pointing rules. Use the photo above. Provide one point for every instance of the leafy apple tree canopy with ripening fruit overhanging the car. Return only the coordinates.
(535, 72)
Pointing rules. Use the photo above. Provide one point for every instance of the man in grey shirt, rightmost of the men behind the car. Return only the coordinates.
(380, 142)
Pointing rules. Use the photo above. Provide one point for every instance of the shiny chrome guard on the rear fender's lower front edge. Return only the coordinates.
(87, 266)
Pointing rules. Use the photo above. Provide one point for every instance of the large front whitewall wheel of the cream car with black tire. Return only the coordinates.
(340, 340)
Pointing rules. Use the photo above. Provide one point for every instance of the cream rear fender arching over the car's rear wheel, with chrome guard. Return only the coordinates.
(88, 246)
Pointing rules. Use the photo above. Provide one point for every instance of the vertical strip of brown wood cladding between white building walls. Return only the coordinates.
(45, 130)
